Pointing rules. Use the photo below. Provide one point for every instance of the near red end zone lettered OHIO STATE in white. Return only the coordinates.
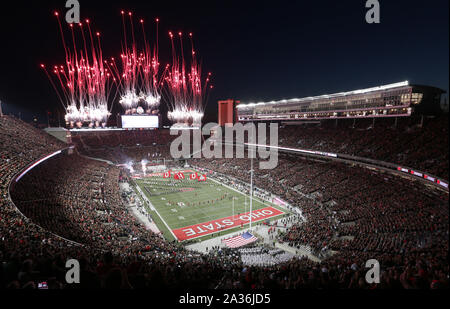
(219, 225)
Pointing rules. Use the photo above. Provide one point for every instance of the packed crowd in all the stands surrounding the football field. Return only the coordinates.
(352, 213)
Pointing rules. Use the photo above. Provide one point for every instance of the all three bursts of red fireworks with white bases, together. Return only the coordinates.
(86, 82)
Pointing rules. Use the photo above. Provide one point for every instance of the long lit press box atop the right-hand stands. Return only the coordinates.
(393, 100)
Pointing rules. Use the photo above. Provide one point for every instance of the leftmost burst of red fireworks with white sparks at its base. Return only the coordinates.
(83, 84)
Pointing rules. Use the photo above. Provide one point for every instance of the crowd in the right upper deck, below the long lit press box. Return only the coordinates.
(416, 142)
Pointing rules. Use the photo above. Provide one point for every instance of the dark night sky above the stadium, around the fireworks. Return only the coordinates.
(256, 50)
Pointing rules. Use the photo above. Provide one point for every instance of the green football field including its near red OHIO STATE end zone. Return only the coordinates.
(181, 205)
